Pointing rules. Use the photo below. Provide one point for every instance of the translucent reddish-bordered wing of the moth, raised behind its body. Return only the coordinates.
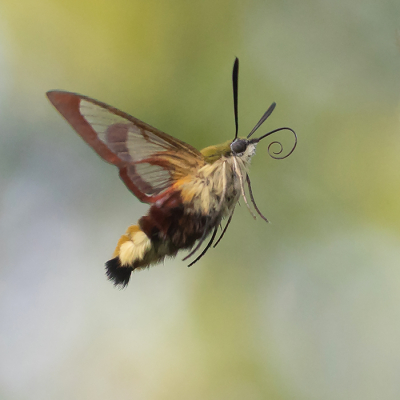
(149, 161)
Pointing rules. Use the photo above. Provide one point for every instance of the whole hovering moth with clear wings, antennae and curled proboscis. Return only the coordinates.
(190, 192)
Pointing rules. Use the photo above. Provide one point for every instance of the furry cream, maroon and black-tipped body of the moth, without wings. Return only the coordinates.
(191, 211)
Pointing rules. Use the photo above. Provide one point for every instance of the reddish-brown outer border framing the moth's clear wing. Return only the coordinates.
(68, 104)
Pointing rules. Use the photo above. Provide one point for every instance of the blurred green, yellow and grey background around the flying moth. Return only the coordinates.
(307, 307)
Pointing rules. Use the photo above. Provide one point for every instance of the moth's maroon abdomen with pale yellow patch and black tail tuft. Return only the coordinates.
(167, 228)
